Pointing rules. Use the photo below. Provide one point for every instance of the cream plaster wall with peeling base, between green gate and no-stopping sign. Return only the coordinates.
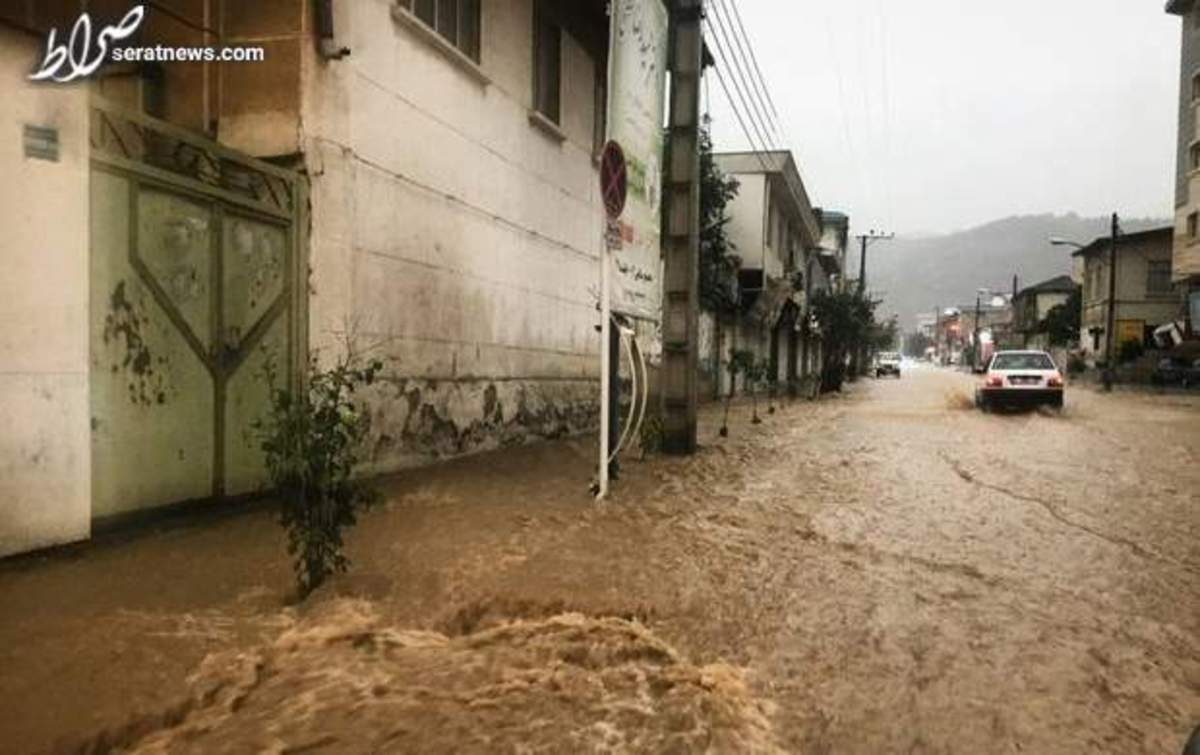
(452, 237)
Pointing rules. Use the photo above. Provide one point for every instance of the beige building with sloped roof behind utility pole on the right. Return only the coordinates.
(1145, 296)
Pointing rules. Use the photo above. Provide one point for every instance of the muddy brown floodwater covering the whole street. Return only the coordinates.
(885, 572)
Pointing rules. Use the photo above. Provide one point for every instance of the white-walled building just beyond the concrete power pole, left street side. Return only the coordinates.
(777, 235)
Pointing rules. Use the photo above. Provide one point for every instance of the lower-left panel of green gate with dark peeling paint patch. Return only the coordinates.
(152, 396)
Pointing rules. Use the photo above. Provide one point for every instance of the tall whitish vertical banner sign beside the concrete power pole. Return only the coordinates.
(637, 106)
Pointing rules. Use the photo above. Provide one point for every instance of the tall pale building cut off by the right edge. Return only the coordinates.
(1186, 243)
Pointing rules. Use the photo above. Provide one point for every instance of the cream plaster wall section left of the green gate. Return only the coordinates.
(45, 469)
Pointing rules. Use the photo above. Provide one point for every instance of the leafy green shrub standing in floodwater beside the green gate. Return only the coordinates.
(311, 438)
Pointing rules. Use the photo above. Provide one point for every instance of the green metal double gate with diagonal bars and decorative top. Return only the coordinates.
(195, 286)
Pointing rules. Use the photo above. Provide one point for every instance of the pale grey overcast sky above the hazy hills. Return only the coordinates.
(935, 116)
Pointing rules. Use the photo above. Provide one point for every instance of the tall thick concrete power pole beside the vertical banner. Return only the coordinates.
(681, 285)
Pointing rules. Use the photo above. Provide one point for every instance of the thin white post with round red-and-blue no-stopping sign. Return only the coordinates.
(614, 187)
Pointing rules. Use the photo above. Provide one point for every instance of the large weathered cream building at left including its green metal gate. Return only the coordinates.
(413, 181)
